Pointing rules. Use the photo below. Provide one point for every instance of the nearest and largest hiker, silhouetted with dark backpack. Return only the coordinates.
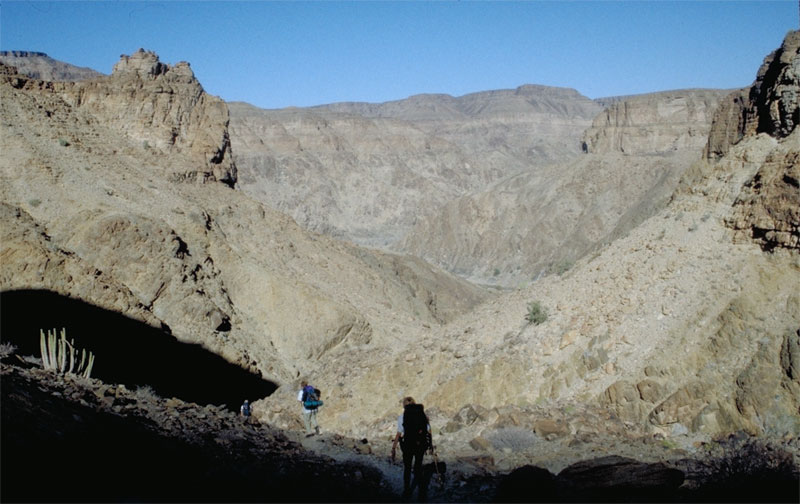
(414, 436)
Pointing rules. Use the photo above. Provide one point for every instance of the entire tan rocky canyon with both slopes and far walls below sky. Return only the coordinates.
(386, 250)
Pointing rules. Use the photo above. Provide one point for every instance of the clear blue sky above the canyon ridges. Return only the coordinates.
(276, 54)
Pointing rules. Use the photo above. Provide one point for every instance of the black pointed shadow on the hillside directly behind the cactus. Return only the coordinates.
(128, 351)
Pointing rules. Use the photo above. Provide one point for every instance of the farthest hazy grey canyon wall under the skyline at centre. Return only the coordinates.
(367, 172)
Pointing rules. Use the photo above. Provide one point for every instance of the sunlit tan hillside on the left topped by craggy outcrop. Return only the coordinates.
(97, 208)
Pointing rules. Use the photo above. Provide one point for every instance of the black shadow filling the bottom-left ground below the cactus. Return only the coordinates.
(57, 450)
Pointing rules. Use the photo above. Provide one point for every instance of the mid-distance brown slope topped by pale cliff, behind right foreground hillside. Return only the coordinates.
(542, 220)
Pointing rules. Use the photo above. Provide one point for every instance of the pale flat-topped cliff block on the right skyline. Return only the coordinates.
(658, 123)
